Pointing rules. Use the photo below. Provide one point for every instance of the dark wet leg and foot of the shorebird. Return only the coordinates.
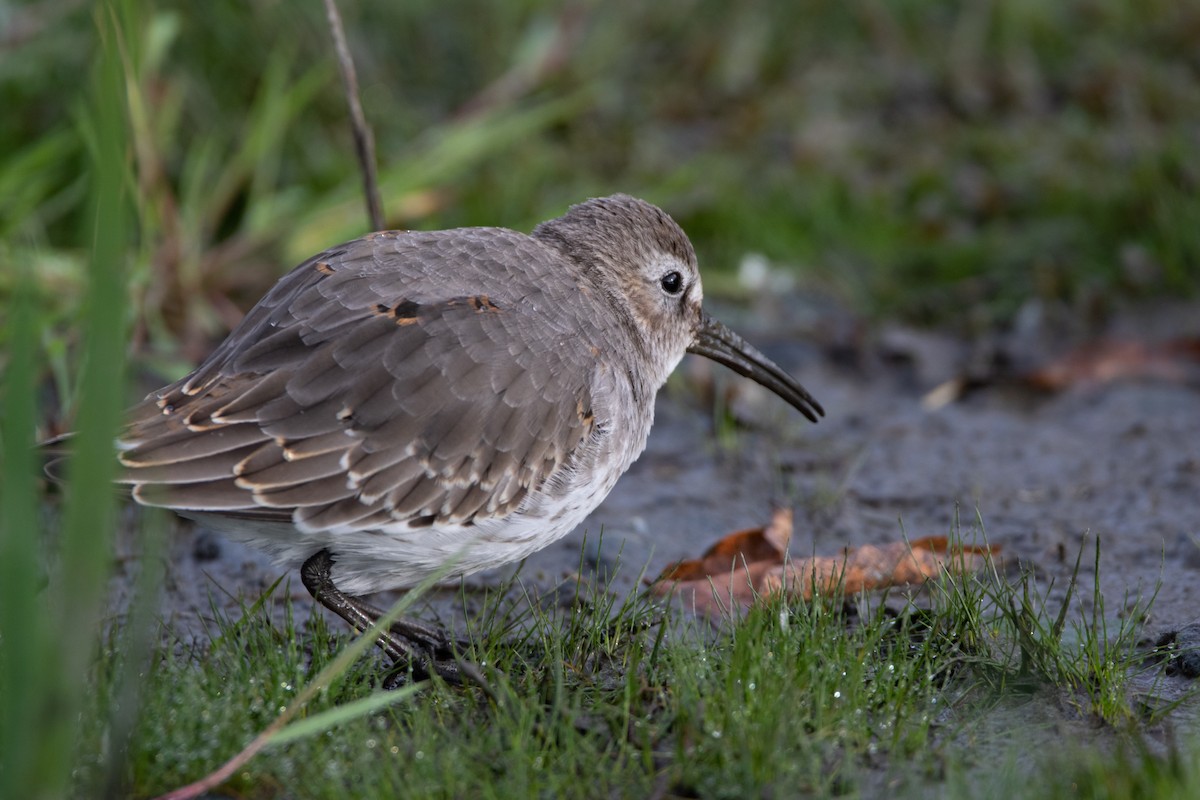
(425, 648)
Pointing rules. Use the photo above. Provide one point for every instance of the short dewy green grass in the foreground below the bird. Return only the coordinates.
(607, 696)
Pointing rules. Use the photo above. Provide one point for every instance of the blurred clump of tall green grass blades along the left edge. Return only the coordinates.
(47, 634)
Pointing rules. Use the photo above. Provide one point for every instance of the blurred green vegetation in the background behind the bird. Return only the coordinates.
(935, 160)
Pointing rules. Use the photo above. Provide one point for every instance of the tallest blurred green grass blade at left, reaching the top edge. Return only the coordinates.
(77, 597)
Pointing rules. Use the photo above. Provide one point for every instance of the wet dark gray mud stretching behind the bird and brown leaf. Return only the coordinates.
(1045, 472)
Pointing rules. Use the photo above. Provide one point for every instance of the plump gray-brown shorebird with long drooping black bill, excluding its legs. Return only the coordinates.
(411, 399)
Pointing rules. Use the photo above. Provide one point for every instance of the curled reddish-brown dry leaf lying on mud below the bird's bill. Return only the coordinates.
(749, 566)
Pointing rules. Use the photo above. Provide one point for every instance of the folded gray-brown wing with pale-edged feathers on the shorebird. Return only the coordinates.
(351, 399)
